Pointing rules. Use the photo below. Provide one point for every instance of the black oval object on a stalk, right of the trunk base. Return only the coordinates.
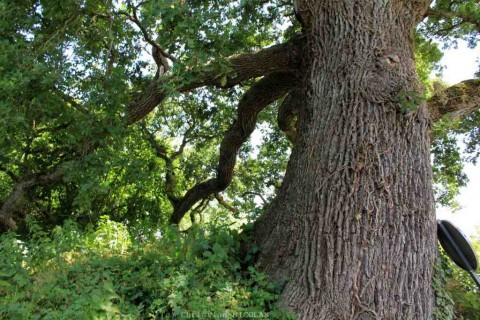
(455, 244)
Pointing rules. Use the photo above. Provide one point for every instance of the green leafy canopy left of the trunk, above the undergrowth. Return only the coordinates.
(63, 98)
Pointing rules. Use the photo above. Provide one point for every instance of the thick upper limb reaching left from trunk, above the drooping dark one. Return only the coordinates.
(278, 58)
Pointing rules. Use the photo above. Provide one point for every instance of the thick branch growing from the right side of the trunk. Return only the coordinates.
(456, 101)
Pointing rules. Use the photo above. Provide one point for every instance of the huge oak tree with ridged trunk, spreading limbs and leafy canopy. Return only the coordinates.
(141, 109)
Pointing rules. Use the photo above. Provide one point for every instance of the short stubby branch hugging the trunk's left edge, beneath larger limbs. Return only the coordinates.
(287, 115)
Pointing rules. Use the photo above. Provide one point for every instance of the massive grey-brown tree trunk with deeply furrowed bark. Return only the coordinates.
(352, 230)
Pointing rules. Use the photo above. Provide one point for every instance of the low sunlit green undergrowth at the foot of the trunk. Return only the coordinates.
(107, 274)
